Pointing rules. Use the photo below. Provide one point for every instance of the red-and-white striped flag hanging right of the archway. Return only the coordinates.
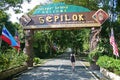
(112, 42)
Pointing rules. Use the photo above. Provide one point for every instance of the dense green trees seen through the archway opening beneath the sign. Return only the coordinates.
(62, 39)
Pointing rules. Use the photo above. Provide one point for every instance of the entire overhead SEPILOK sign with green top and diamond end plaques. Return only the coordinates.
(63, 16)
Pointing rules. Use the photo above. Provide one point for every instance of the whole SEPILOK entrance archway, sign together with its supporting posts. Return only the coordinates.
(61, 16)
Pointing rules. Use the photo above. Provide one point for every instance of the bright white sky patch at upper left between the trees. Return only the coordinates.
(25, 7)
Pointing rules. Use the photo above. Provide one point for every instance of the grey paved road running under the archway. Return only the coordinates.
(58, 69)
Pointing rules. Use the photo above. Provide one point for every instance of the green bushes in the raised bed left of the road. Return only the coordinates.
(10, 58)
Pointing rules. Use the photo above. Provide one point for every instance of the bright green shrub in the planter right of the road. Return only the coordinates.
(109, 63)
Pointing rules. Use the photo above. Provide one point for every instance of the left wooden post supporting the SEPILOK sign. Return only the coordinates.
(29, 47)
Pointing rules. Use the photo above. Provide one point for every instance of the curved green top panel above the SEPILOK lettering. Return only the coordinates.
(58, 8)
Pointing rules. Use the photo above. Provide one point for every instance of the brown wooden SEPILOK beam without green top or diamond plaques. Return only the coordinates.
(62, 21)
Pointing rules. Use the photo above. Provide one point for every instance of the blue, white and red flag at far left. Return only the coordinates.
(8, 38)
